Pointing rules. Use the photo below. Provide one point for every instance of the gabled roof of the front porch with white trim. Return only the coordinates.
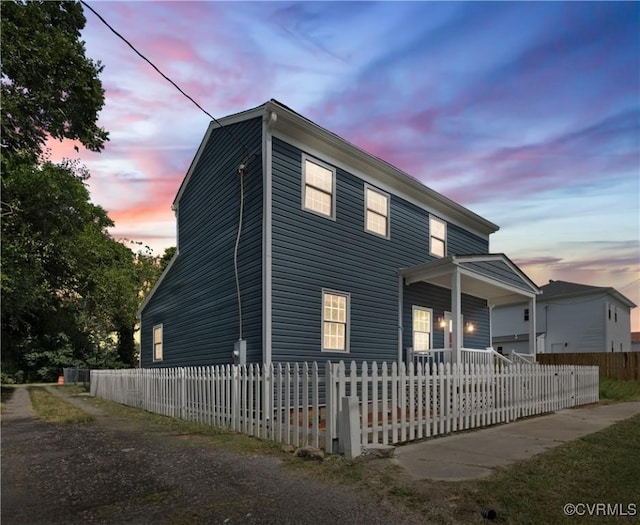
(493, 277)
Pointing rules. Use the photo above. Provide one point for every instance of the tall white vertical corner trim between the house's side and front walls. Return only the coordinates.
(267, 297)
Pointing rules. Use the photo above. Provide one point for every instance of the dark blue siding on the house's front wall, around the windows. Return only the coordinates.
(311, 253)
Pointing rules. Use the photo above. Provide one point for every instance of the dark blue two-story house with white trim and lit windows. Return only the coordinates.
(295, 245)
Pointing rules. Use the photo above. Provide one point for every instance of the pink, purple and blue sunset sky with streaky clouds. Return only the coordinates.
(526, 113)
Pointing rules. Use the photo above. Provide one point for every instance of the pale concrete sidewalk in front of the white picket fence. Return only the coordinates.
(476, 454)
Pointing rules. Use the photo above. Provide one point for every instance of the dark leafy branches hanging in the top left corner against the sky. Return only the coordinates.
(49, 86)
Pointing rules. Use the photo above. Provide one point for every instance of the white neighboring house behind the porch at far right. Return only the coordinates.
(570, 317)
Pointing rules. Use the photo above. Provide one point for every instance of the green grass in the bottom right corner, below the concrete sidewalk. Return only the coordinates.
(598, 468)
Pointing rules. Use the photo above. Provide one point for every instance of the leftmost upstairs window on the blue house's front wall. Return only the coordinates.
(318, 187)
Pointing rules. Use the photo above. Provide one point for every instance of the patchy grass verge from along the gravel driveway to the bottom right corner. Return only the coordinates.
(598, 468)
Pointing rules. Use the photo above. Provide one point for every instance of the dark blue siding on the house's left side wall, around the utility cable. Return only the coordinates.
(197, 302)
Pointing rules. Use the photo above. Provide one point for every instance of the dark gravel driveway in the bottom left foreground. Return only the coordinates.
(117, 471)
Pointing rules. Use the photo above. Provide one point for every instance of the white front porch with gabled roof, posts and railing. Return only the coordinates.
(492, 278)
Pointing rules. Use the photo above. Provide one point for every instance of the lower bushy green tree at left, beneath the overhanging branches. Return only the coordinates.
(67, 286)
